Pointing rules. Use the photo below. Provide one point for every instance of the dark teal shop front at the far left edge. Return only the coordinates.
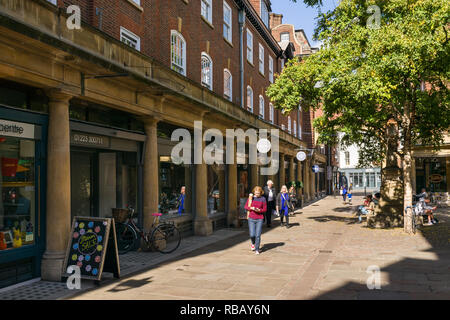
(22, 189)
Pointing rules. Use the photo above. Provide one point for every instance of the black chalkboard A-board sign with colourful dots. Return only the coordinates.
(93, 247)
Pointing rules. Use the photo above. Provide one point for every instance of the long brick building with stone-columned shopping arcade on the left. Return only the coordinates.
(90, 114)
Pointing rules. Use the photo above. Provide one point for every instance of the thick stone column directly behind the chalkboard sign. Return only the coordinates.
(58, 187)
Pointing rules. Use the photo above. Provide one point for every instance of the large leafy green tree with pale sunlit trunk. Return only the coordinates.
(374, 68)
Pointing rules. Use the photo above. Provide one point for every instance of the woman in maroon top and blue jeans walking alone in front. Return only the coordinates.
(256, 206)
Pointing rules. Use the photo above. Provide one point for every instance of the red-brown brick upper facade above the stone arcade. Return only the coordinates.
(153, 21)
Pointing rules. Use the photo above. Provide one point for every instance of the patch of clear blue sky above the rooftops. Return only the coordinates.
(301, 16)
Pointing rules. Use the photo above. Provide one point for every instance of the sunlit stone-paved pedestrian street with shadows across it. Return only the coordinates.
(324, 255)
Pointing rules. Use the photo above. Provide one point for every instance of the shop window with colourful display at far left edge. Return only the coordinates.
(17, 188)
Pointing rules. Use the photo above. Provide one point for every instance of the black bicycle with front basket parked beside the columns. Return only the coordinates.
(163, 237)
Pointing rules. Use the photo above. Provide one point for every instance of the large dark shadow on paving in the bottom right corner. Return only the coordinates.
(410, 278)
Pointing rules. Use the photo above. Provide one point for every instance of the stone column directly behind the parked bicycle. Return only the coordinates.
(151, 172)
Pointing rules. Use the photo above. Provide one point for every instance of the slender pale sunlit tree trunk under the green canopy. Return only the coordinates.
(407, 168)
